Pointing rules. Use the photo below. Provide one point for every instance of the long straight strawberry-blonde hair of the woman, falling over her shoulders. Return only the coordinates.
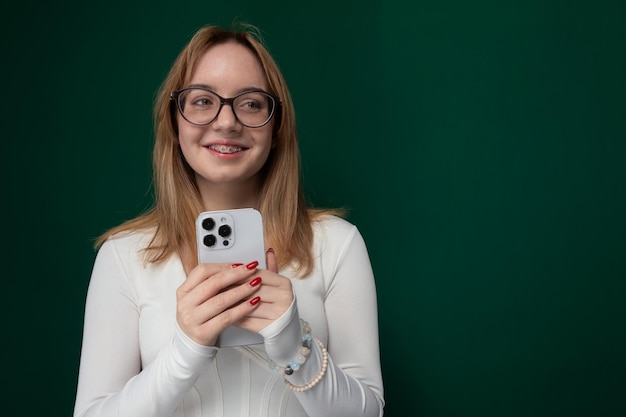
(287, 217)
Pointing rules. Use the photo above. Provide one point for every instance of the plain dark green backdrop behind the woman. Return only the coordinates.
(480, 147)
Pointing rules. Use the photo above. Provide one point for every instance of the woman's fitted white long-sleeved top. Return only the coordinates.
(136, 362)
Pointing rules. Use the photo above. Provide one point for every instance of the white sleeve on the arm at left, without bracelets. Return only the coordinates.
(111, 381)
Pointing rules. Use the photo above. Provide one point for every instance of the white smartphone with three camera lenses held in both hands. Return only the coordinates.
(232, 236)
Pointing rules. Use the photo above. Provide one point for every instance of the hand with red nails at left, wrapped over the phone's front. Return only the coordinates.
(215, 296)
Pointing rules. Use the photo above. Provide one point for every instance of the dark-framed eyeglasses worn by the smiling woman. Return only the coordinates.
(200, 106)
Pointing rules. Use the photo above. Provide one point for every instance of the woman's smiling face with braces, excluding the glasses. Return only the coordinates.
(226, 155)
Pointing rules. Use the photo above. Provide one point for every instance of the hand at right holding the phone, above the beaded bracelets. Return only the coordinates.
(276, 296)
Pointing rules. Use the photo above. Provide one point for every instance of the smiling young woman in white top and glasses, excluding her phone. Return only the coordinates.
(226, 138)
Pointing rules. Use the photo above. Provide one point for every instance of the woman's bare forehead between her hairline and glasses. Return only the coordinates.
(229, 67)
